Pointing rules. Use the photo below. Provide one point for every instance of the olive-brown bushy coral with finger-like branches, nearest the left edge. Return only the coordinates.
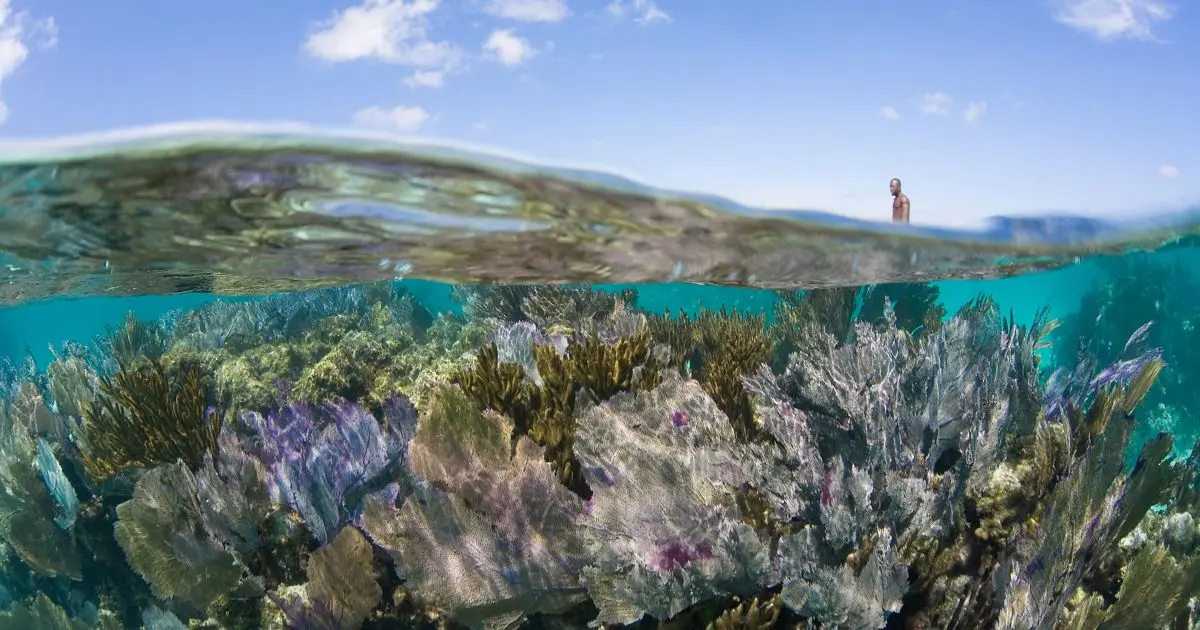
(148, 415)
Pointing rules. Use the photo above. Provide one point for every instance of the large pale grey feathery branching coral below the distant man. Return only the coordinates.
(899, 434)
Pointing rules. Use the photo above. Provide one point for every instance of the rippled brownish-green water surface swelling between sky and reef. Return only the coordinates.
(146, 213)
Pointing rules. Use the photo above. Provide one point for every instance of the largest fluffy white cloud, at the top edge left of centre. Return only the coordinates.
(395, 32)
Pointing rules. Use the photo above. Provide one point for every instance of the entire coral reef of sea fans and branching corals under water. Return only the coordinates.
(556, 458)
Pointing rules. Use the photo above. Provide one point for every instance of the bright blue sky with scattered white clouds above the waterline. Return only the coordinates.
(982, 109)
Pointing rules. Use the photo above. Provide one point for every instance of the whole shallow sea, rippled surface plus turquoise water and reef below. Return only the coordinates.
(278, 381)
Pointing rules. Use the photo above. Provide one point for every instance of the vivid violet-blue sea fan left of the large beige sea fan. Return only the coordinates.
(323, 475)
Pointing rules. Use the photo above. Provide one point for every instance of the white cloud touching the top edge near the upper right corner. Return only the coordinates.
(1114, 20)
